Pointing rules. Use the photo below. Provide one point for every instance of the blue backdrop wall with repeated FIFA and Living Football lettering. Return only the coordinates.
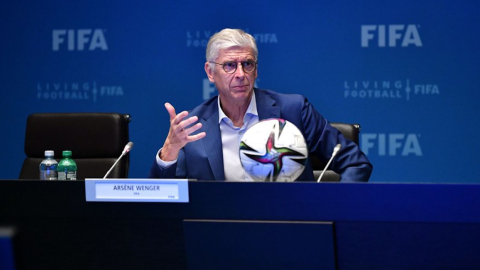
(407, 71)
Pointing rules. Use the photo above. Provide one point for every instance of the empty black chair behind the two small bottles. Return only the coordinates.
(95, 139)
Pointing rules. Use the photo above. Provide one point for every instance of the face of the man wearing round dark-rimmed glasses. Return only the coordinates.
(237, 86)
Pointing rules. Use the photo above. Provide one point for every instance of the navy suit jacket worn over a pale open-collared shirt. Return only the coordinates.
(203, 159)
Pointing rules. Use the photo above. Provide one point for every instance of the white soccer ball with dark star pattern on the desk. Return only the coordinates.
(273, 150)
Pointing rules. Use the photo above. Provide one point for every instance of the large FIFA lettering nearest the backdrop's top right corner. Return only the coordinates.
(391, 35)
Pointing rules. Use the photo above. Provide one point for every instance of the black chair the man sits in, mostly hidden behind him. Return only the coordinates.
(349, 131)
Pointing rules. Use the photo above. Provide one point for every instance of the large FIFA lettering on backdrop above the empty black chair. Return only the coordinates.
(79, 40)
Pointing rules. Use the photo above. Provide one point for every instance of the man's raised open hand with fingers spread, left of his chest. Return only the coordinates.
(179, 133)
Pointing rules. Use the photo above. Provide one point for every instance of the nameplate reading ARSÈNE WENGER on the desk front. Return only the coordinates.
(136, 190)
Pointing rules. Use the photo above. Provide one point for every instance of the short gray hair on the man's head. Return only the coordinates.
(229, 38)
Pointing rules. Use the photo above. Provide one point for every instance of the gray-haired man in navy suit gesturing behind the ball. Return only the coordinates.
(203, 144)
